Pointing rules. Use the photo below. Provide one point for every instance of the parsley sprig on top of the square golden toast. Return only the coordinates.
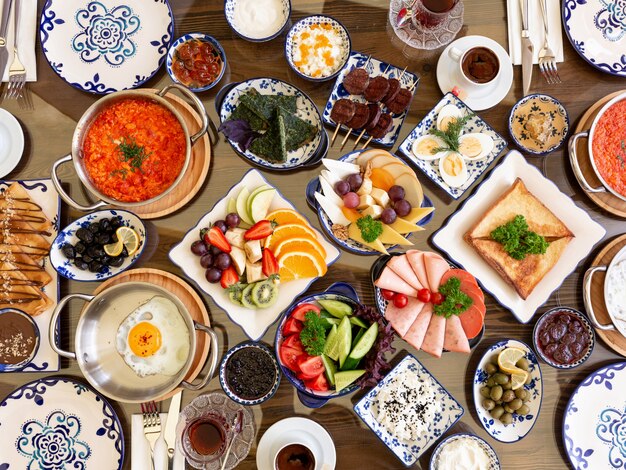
(517, 240)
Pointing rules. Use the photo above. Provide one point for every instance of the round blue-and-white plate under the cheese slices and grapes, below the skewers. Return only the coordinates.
(349, 244)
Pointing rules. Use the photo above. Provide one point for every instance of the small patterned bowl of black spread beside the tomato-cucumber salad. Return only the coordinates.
(249, 373)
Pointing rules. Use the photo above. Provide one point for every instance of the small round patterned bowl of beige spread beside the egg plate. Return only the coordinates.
(529, 114)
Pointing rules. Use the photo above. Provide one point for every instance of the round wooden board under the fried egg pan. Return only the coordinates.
(187, 296)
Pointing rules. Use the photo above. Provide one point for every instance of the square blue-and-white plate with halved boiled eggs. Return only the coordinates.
(488, 143)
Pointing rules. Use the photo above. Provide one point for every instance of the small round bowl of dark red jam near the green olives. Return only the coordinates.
(585, 330)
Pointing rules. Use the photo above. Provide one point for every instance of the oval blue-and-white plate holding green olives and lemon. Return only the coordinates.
(521, 425)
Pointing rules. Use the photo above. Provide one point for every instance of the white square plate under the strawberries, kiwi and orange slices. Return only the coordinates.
(253, 322)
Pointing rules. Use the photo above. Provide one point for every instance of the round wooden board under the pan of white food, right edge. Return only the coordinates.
(612, 338)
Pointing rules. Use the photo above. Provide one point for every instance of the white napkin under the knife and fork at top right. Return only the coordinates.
(535, 20)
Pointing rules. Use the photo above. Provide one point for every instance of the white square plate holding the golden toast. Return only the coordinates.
(450, 237)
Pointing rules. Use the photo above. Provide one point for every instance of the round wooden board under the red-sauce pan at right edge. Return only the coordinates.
(605, 200)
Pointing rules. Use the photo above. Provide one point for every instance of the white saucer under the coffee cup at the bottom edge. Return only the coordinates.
(302, 430)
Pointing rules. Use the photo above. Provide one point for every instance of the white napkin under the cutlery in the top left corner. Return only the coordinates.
(26, 46)
